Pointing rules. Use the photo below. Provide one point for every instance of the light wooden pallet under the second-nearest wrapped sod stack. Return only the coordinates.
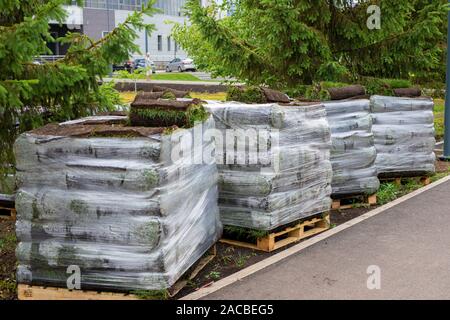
(277, 240)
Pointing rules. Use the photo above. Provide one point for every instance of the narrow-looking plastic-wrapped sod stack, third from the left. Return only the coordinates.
(353, 153)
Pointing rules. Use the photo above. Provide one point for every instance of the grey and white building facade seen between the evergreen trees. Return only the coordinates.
(98, 17)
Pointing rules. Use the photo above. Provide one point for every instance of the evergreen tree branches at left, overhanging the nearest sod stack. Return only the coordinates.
(32, 94)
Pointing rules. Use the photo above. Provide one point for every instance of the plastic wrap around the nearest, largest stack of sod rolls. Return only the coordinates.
(120, 209)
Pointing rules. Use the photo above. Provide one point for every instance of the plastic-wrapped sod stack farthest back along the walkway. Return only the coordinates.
(404, 135)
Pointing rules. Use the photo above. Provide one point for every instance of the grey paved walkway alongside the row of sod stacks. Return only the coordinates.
(410, 243)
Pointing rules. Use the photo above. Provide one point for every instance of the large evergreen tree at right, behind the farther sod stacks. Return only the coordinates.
(284, 43)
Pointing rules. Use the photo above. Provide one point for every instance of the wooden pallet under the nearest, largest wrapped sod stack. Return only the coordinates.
(28, 292)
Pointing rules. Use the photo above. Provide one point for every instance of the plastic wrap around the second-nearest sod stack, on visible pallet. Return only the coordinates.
(290, 179)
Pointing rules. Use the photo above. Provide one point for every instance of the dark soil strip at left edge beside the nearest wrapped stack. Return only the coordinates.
(8, 263)
